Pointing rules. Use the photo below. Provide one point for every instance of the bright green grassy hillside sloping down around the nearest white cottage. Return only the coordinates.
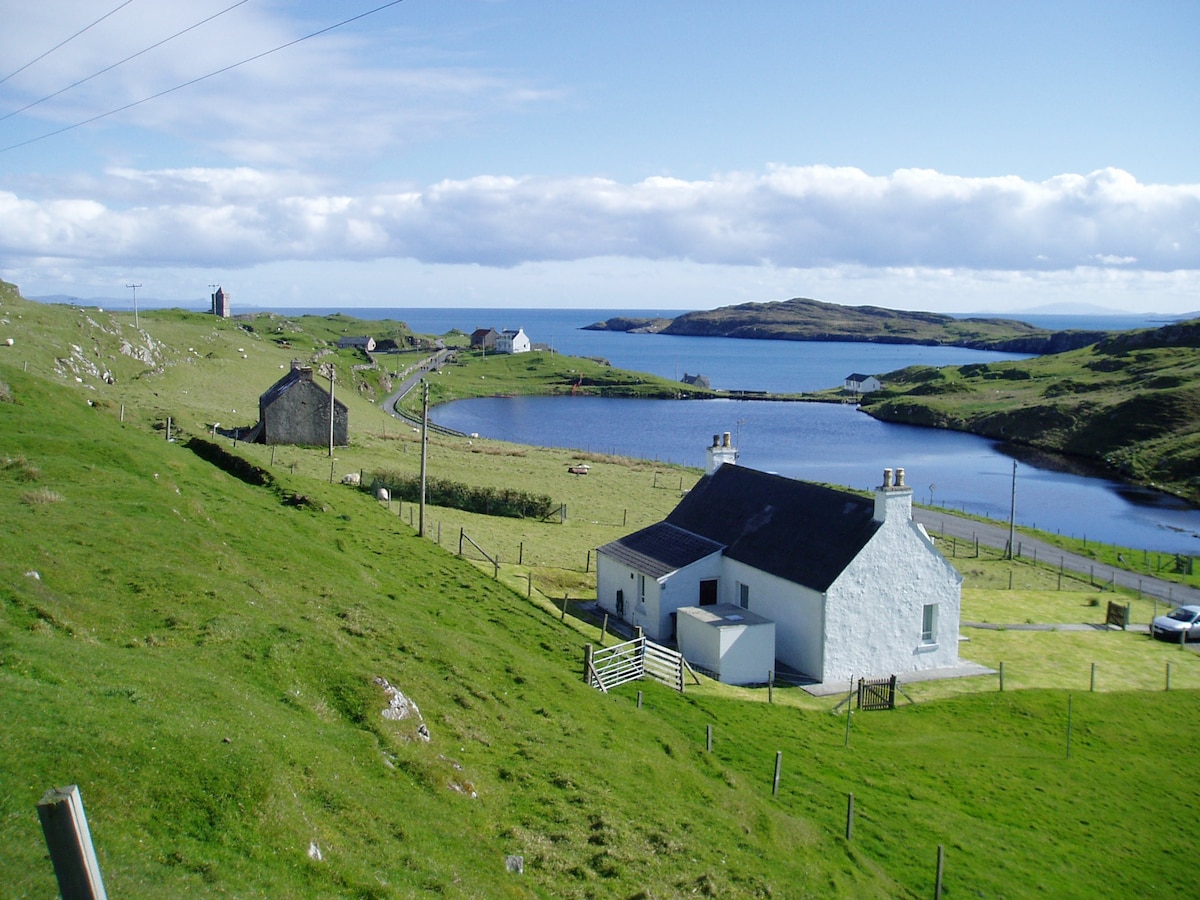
(202, 656)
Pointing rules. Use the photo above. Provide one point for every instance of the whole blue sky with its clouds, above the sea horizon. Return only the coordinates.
(947, 157)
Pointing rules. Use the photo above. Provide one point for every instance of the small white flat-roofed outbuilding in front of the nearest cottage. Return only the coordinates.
(729, 643)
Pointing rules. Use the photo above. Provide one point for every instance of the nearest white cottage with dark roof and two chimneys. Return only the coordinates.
(851, 585)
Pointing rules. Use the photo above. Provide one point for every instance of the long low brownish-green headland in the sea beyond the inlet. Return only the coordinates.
(805, 320)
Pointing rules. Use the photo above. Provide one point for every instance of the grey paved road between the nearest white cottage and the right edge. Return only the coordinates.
(940, 523)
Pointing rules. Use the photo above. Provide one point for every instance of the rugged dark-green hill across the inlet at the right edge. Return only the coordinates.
(1130, 404)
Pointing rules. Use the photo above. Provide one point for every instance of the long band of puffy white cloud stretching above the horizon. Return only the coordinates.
(784, 217)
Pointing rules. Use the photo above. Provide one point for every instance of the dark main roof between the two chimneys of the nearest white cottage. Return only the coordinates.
(795, 530)
